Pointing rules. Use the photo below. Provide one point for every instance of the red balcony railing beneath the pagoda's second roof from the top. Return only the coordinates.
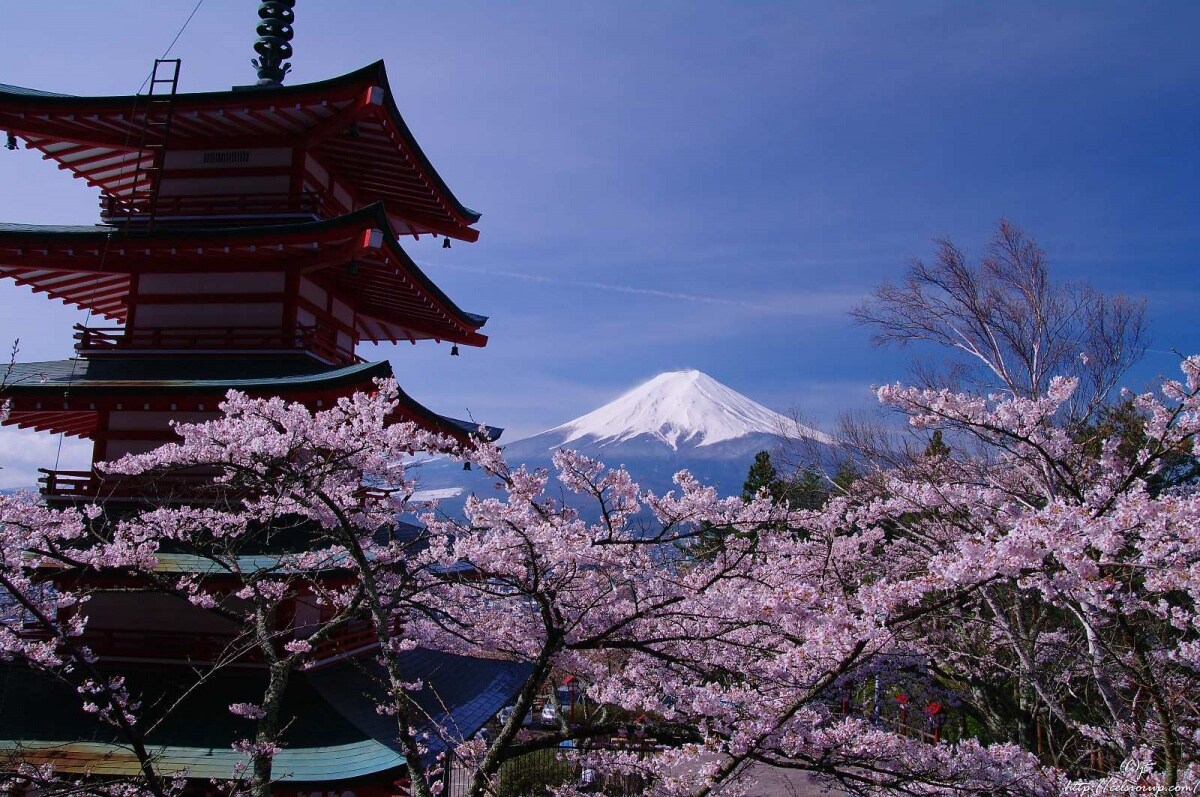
(321, 343)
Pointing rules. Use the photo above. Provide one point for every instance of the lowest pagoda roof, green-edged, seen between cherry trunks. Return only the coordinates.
(333, 732)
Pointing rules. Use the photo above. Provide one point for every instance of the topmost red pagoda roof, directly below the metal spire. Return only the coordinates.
(351, 124)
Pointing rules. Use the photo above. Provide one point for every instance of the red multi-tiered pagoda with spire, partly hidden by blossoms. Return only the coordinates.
(250, 242)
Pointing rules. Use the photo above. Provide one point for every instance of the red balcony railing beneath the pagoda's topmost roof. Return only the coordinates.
(249, 207)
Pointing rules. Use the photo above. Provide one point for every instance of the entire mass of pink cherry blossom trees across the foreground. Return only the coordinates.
(1033, 582)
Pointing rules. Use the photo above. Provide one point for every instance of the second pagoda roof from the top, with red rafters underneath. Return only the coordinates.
(91, 266)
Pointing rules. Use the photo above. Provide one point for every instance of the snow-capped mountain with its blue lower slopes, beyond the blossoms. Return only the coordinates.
(680, 420)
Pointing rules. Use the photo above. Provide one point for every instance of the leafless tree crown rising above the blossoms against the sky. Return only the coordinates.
(1010, 327)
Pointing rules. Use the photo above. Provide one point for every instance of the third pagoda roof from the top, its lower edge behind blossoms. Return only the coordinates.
(67, 395)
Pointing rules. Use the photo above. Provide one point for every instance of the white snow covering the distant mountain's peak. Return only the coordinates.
(681, 408)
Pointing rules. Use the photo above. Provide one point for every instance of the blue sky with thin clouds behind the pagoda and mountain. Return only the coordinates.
(699, 184)
